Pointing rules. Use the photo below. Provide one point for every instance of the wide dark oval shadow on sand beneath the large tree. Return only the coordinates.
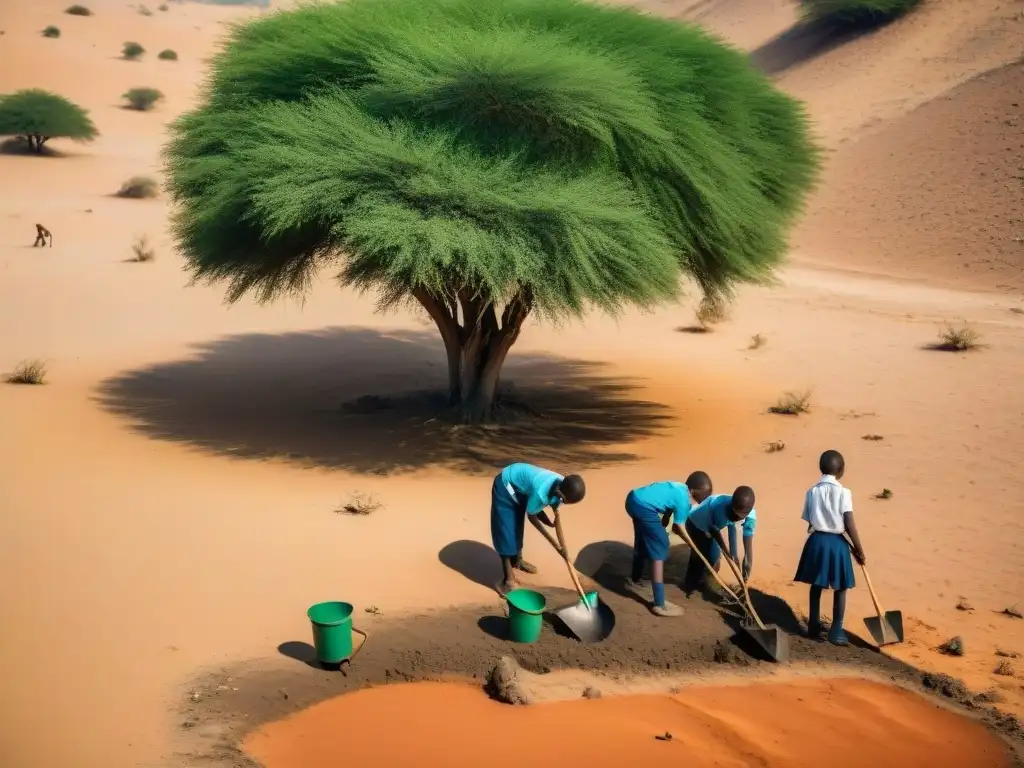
(374, 402)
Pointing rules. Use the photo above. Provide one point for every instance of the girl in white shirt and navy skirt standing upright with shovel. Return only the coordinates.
(826, 562)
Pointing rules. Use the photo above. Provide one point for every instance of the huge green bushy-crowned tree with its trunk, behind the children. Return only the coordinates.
(489, 160)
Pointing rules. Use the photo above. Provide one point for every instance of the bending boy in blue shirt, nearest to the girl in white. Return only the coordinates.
(705, 527)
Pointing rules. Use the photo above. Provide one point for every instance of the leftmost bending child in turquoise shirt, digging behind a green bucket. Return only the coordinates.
(523, 491)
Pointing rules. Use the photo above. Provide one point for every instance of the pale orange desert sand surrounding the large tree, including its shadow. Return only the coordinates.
(168, 498)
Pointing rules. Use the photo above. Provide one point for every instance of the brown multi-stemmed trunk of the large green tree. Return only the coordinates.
(477, 348)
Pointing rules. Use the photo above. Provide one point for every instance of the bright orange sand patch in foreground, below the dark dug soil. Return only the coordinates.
(838, 723)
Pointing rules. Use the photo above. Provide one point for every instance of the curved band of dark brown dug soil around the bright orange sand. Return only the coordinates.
(220, 709)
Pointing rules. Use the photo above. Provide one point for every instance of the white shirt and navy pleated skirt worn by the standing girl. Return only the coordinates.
(826, 561)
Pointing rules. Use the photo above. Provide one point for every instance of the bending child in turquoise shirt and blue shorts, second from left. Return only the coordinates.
(651, 508)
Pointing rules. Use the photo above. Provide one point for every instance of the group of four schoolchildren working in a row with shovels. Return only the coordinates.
(524, 492)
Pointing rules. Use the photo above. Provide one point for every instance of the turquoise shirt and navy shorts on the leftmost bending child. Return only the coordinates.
(519, 491)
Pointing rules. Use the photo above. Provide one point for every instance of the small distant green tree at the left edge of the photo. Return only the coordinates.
(37, 116)
